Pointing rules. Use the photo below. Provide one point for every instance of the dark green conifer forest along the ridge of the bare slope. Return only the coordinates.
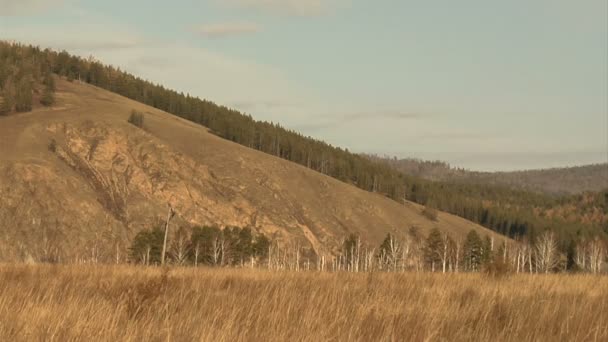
(24, 71)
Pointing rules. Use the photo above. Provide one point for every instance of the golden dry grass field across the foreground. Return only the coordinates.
(85, 303)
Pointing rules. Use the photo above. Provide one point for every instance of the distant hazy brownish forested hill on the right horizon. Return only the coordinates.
(556, 181)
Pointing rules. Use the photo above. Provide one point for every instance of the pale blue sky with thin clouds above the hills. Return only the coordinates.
(484, 85)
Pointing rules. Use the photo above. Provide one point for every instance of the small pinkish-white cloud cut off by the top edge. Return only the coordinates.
(292, 7)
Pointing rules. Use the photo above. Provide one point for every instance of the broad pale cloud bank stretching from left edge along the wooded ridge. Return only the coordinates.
(220, 77)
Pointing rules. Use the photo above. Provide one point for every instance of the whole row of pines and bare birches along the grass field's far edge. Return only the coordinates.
(409, 252)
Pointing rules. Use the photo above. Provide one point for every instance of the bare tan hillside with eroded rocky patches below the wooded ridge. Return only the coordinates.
(77, 179)
